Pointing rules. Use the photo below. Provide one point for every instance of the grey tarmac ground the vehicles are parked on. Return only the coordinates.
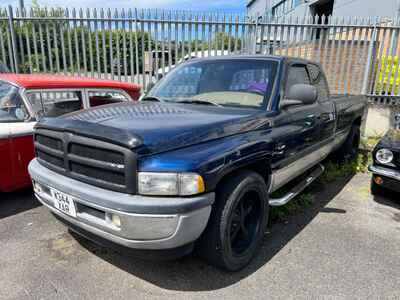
(346, 246)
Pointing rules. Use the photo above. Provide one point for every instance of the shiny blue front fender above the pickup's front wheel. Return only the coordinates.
(213, 159)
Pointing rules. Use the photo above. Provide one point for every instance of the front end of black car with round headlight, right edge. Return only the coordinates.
(386, 166)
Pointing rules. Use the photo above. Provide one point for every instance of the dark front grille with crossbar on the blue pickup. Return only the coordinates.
(92, 161)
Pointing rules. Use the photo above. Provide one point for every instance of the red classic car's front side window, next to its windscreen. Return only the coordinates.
(55, 103)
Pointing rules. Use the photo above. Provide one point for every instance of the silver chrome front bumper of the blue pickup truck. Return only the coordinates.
(146, 222)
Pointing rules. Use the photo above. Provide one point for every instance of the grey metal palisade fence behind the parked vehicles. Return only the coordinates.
(359, 55)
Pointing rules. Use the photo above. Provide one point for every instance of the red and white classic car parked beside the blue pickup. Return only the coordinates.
(26, 98)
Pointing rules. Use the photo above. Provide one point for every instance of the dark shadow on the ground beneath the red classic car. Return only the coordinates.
(16, 202)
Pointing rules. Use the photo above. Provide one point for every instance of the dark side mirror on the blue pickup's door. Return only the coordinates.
(300, 94)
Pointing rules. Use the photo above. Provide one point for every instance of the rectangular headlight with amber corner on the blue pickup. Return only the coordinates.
(170, 184)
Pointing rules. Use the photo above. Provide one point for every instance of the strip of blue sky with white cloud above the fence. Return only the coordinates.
(236, 6)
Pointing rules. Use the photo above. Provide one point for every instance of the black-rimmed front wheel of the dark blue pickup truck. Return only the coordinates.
(238, 219)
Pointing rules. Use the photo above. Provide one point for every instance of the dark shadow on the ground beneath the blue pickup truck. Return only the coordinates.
(192, 274)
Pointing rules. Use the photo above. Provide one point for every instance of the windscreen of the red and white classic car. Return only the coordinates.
(12, 108)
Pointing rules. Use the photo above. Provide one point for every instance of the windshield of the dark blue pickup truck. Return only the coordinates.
(236, 82)
